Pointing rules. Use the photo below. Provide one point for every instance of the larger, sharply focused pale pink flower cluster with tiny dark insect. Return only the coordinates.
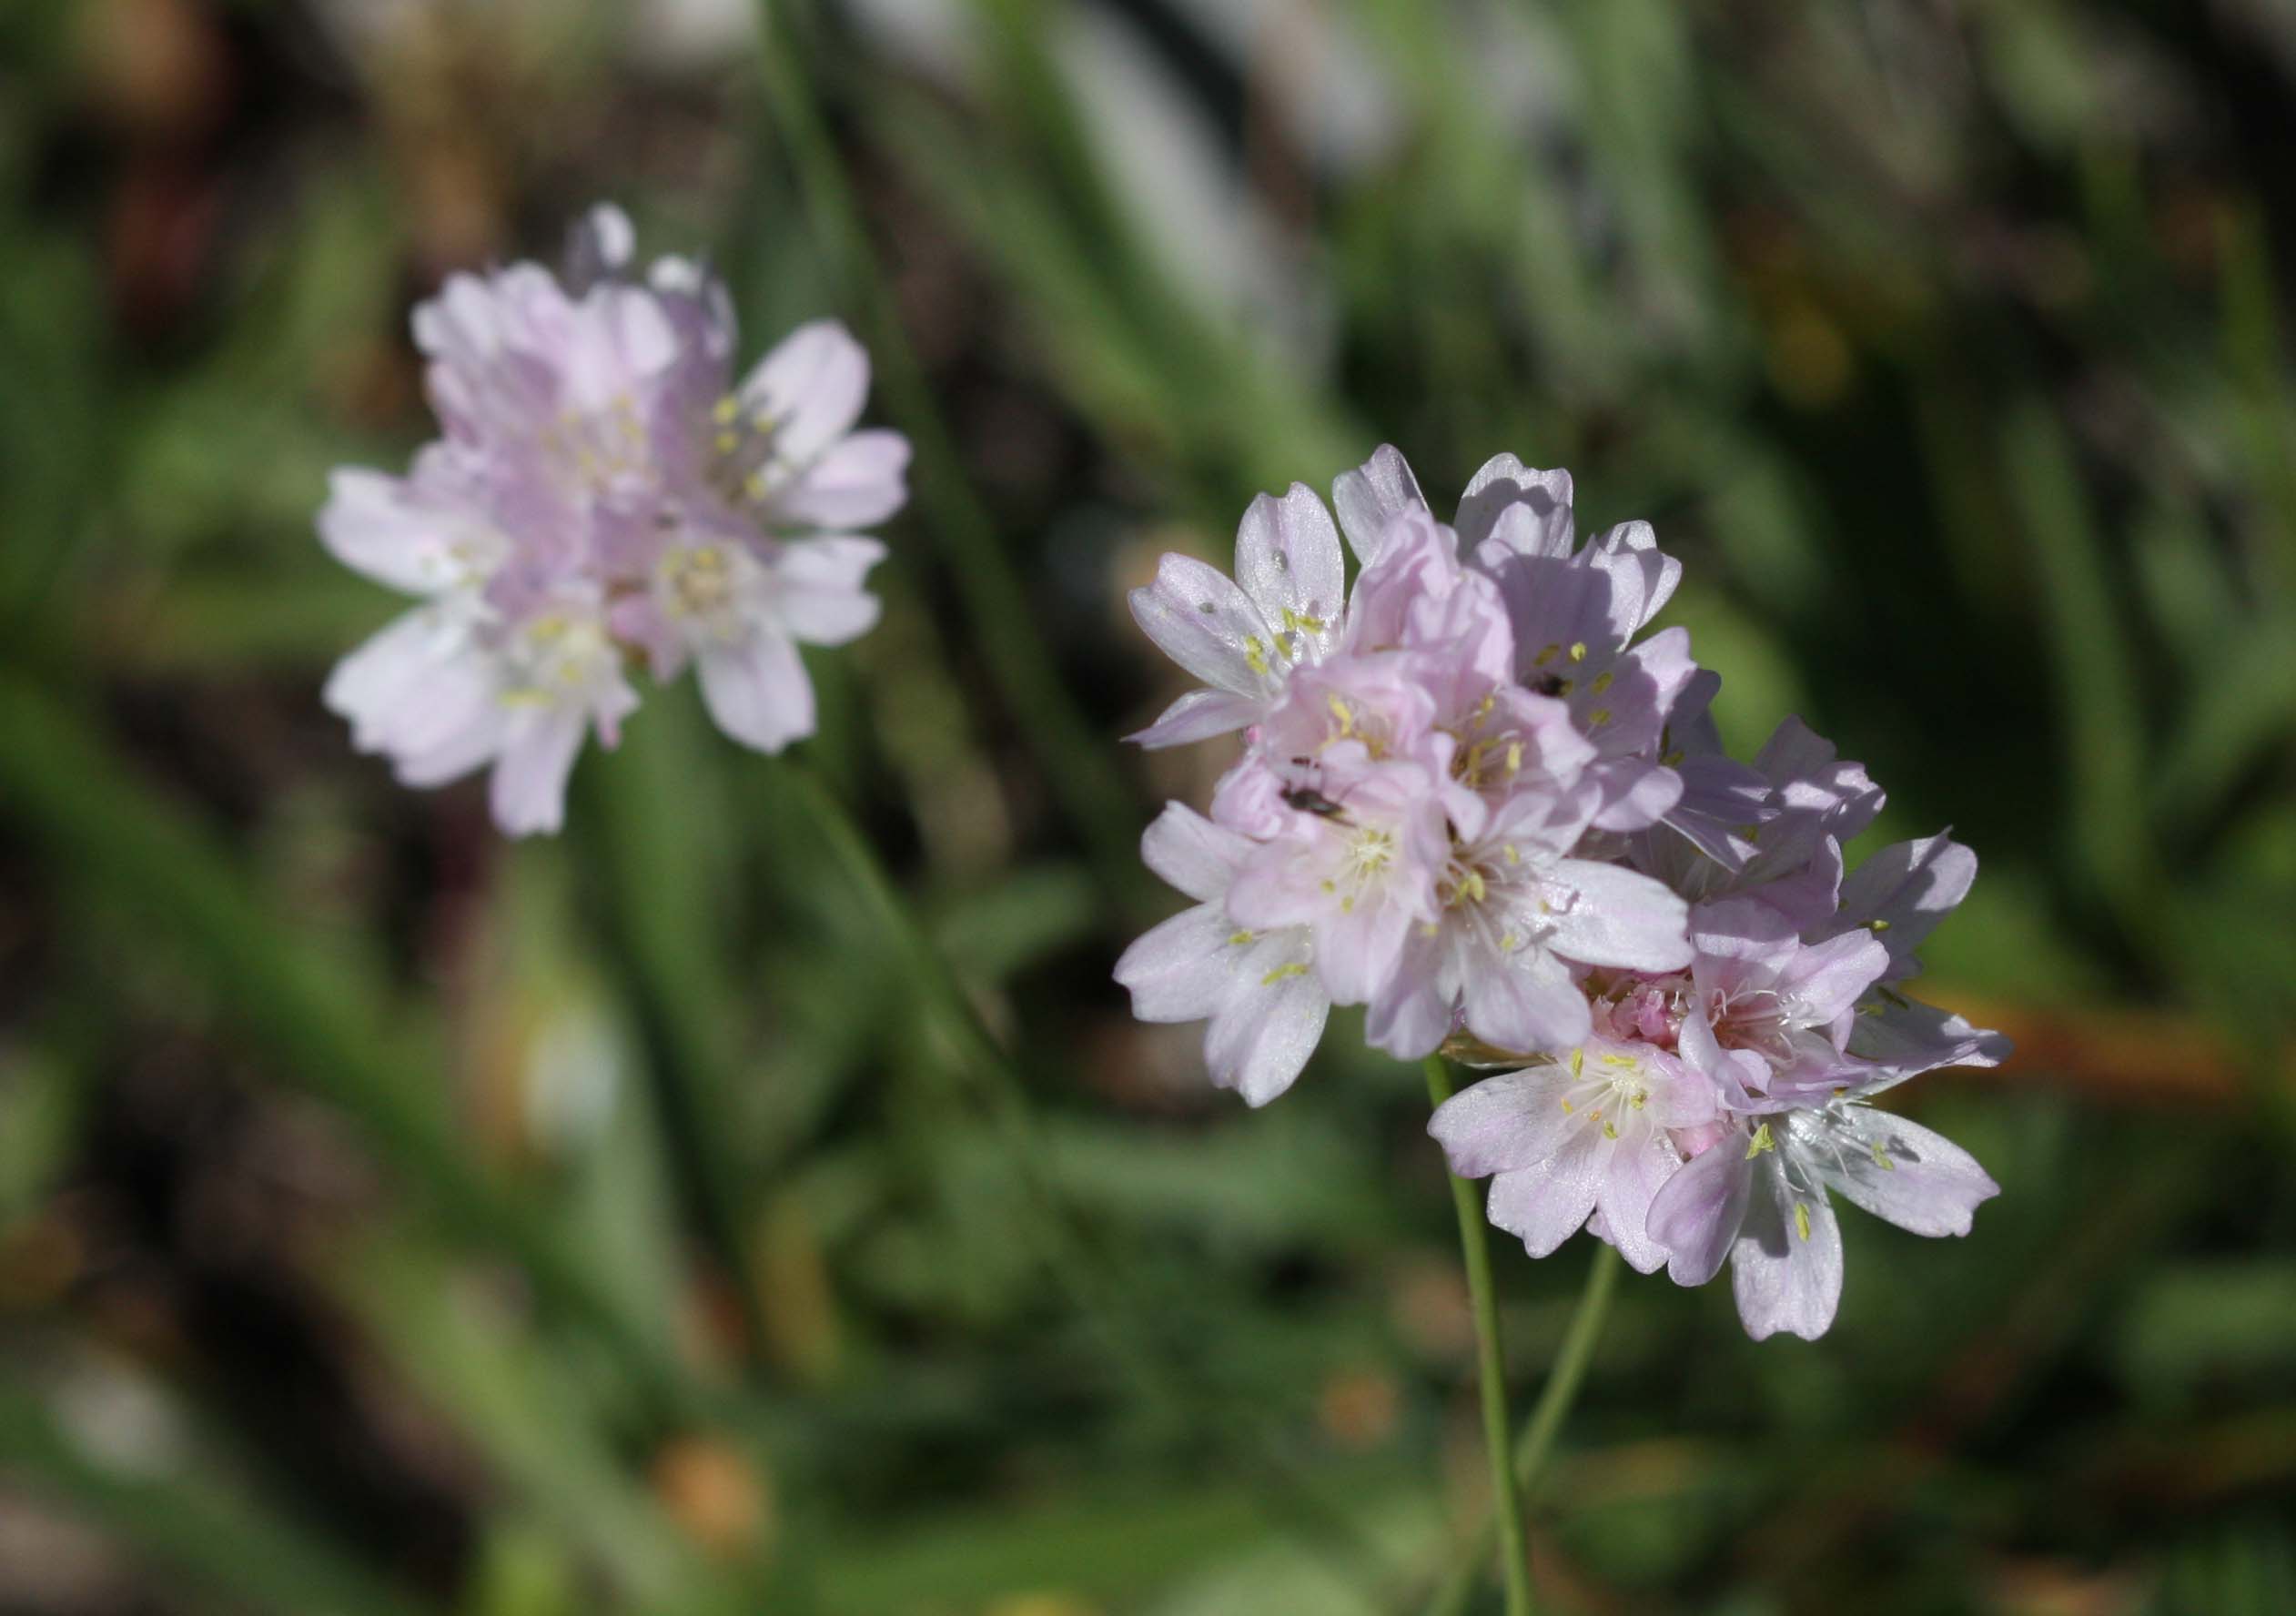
(1477, 800)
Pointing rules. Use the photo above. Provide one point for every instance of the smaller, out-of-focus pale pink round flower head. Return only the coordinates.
(607, 495)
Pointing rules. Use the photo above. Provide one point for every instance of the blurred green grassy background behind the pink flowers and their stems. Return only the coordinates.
(396, 1220)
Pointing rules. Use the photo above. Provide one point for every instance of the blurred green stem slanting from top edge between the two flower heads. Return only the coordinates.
(1078, 766)
